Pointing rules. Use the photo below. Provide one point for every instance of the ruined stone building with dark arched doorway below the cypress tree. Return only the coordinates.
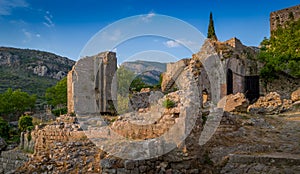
(239, 63)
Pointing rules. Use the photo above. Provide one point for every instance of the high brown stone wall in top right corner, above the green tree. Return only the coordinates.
(280, 17)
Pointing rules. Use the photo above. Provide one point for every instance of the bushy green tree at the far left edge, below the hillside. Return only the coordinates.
(16, 102)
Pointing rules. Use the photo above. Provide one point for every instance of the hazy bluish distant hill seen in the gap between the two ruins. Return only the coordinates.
(148, 71)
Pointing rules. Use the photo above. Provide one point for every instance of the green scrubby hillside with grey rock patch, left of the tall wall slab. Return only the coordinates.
(31, 71)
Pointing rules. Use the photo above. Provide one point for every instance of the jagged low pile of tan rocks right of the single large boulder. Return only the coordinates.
(270, 104)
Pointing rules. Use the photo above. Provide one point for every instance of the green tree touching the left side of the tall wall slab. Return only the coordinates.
(57, 95)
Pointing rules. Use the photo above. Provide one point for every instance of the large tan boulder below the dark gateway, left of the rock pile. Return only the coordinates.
(236, 103)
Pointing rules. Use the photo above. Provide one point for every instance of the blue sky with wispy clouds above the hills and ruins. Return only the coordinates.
(64, 27)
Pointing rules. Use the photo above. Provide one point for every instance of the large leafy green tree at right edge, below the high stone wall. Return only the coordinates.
(281, 53)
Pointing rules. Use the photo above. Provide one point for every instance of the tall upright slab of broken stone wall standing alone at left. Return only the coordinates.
(92, 88)
